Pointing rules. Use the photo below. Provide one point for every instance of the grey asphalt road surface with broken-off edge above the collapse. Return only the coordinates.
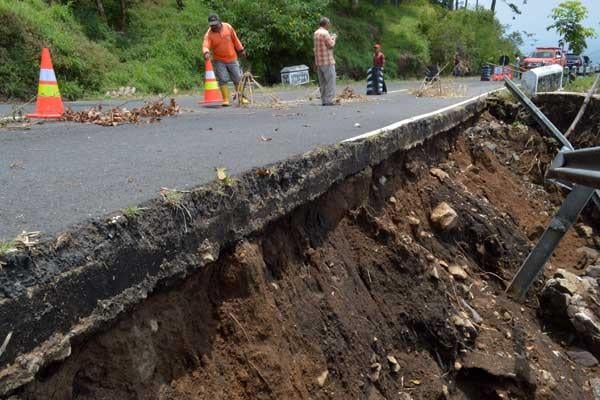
(59, 173)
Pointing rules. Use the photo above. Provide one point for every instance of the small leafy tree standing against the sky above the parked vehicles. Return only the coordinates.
(568, 18)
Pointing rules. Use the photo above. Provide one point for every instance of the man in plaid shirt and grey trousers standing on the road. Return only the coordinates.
(324, 43)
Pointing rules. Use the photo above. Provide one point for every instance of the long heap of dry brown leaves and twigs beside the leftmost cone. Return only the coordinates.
(150, 112)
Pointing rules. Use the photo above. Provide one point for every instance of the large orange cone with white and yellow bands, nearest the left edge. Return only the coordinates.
(49, 104)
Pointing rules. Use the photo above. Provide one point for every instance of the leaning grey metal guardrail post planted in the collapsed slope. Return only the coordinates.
(560, 224)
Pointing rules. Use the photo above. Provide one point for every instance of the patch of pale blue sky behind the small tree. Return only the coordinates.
(536, 17)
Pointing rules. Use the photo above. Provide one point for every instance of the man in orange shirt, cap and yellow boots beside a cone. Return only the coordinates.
(222, 40)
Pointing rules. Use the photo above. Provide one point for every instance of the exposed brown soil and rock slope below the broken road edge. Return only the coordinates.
(359, 295)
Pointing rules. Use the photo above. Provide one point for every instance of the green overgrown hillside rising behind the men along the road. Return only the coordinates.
(155, 47)
